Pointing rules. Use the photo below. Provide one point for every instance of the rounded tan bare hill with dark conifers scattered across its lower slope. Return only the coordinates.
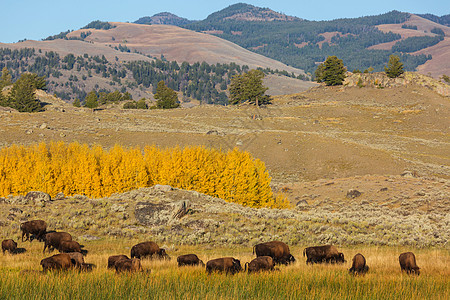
(133, 57)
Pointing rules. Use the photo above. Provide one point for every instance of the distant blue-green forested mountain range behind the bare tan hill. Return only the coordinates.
(303, 44)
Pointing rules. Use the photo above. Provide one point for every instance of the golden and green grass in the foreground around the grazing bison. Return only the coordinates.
(164, 280)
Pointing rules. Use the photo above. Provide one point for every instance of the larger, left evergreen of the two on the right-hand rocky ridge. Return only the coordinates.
(332, 71)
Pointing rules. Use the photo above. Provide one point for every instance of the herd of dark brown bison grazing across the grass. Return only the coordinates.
(268, 255)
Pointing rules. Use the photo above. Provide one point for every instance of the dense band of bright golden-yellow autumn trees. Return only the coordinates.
(234, 176)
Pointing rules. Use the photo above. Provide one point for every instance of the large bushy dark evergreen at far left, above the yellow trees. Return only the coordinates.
(22, 96)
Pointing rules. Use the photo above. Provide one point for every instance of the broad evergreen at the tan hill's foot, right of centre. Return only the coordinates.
(248, 87)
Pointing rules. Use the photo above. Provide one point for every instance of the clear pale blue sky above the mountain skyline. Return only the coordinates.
(38, 19)
